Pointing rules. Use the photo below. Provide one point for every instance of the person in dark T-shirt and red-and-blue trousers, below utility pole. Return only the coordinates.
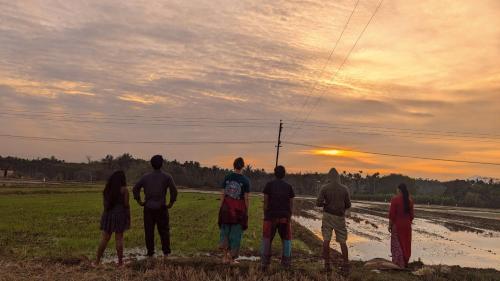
(278, 205)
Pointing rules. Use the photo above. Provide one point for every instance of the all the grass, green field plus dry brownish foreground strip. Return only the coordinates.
(50, 233)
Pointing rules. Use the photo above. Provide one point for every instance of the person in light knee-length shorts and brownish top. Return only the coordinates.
(334, 199)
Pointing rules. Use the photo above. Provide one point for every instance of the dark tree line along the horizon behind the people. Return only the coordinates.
(470, 193)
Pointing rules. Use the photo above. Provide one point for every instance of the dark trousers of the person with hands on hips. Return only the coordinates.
(158, 217)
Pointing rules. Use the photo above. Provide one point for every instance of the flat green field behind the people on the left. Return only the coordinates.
(64, 222)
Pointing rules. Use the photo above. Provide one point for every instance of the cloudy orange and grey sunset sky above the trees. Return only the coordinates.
(423, 80)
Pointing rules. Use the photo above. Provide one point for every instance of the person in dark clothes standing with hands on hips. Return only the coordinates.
(155, 186)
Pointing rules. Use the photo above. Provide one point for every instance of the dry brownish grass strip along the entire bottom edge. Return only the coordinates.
(210, 269)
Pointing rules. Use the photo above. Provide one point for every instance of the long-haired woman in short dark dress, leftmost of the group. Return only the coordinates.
(116, 215)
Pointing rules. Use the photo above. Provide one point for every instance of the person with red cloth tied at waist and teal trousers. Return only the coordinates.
(233, 212)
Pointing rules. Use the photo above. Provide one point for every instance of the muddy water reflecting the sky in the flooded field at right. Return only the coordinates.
(434, 241)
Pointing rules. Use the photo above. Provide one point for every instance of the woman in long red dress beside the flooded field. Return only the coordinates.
(400, 220)
